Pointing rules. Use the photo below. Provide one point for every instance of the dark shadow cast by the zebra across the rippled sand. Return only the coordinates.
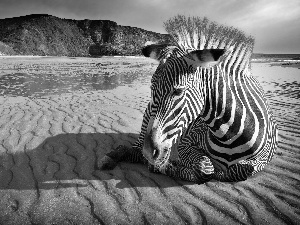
(69, 160)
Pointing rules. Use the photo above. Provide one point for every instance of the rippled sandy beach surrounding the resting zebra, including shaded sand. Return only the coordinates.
(49, 145)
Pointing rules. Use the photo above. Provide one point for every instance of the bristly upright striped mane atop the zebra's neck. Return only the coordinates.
(195, 33)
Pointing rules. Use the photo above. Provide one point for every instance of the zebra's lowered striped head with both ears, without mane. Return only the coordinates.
(177, 96)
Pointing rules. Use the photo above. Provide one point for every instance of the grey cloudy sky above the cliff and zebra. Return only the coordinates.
(275, 24)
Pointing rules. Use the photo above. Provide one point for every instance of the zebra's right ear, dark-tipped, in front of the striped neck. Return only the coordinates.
(206, 57)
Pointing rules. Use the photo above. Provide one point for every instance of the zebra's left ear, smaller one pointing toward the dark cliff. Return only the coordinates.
(159, 52)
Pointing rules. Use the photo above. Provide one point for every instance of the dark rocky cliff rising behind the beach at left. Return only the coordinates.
(42, 34)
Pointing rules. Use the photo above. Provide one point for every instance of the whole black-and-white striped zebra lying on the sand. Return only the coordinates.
(208, 117)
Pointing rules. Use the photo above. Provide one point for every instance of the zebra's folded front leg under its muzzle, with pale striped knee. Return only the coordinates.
(199, 172)
